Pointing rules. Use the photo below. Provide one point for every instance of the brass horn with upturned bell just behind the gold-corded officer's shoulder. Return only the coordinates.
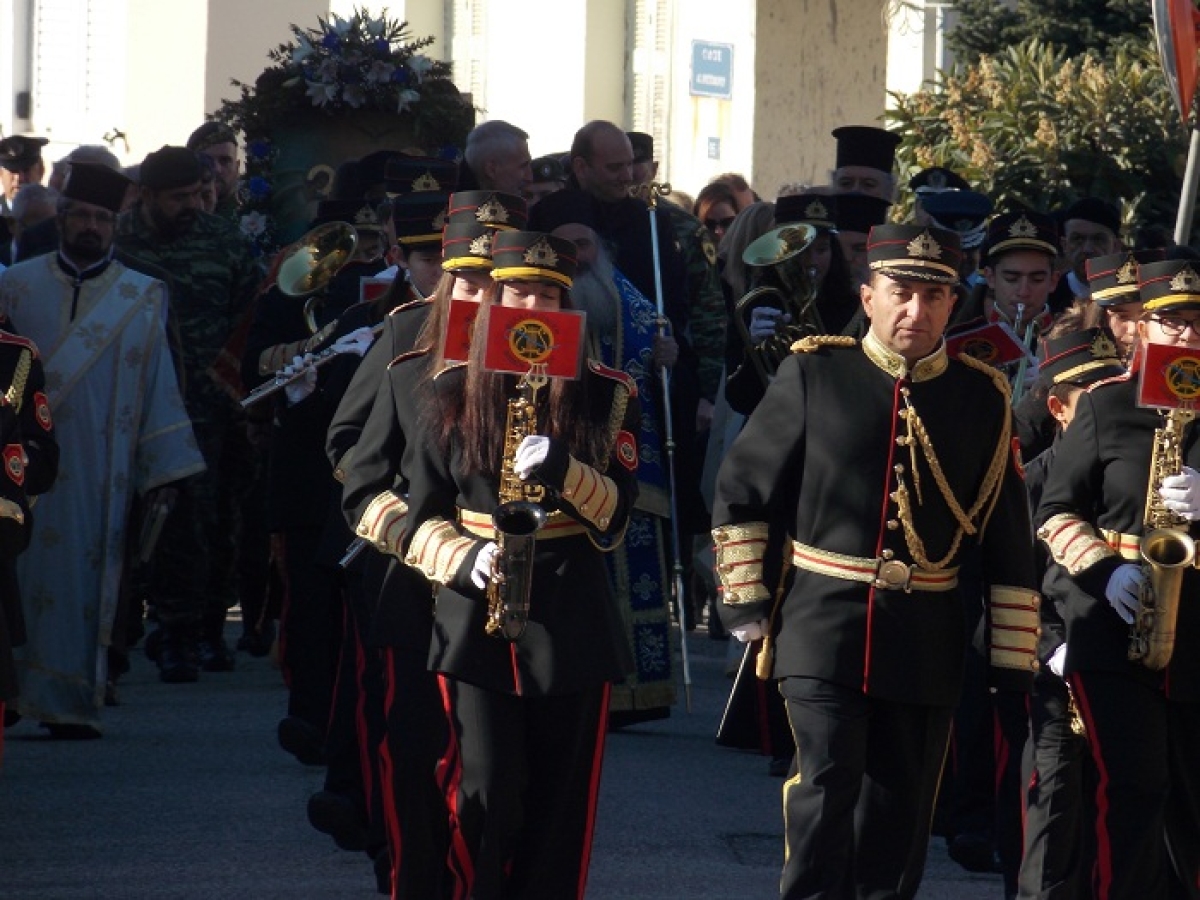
(782, 251)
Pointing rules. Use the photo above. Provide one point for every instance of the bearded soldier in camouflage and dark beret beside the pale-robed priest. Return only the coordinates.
(214, 281)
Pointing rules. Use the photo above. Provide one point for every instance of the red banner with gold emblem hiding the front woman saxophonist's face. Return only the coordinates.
(519, 340)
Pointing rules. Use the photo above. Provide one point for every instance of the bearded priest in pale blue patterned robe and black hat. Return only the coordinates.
(123, 431)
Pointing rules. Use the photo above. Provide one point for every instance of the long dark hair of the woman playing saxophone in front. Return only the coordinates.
(472, 413)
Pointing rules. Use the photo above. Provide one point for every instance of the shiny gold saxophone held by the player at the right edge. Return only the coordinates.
(1167, 550)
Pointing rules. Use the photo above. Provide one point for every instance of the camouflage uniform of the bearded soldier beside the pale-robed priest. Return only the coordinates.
(213, 284)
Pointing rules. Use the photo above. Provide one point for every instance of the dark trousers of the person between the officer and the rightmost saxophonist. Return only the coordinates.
(1059, 849)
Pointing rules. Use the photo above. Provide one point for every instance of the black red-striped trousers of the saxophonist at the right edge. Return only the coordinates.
(1148, 757)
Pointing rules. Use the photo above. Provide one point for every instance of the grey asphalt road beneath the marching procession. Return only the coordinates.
(188, 797)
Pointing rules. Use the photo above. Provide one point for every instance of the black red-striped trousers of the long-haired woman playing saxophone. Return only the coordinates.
(523, 776)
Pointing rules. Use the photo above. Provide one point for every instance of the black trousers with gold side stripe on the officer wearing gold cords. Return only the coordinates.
(857, 817)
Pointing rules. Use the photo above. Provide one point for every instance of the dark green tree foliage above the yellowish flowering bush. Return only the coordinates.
(988, 27)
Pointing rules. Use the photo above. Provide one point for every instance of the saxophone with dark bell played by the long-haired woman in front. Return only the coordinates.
(517, 521)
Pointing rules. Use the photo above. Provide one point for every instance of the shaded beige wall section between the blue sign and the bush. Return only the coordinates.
(819, 64)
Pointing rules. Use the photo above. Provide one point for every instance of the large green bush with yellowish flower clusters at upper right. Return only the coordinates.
(1034, 127)
